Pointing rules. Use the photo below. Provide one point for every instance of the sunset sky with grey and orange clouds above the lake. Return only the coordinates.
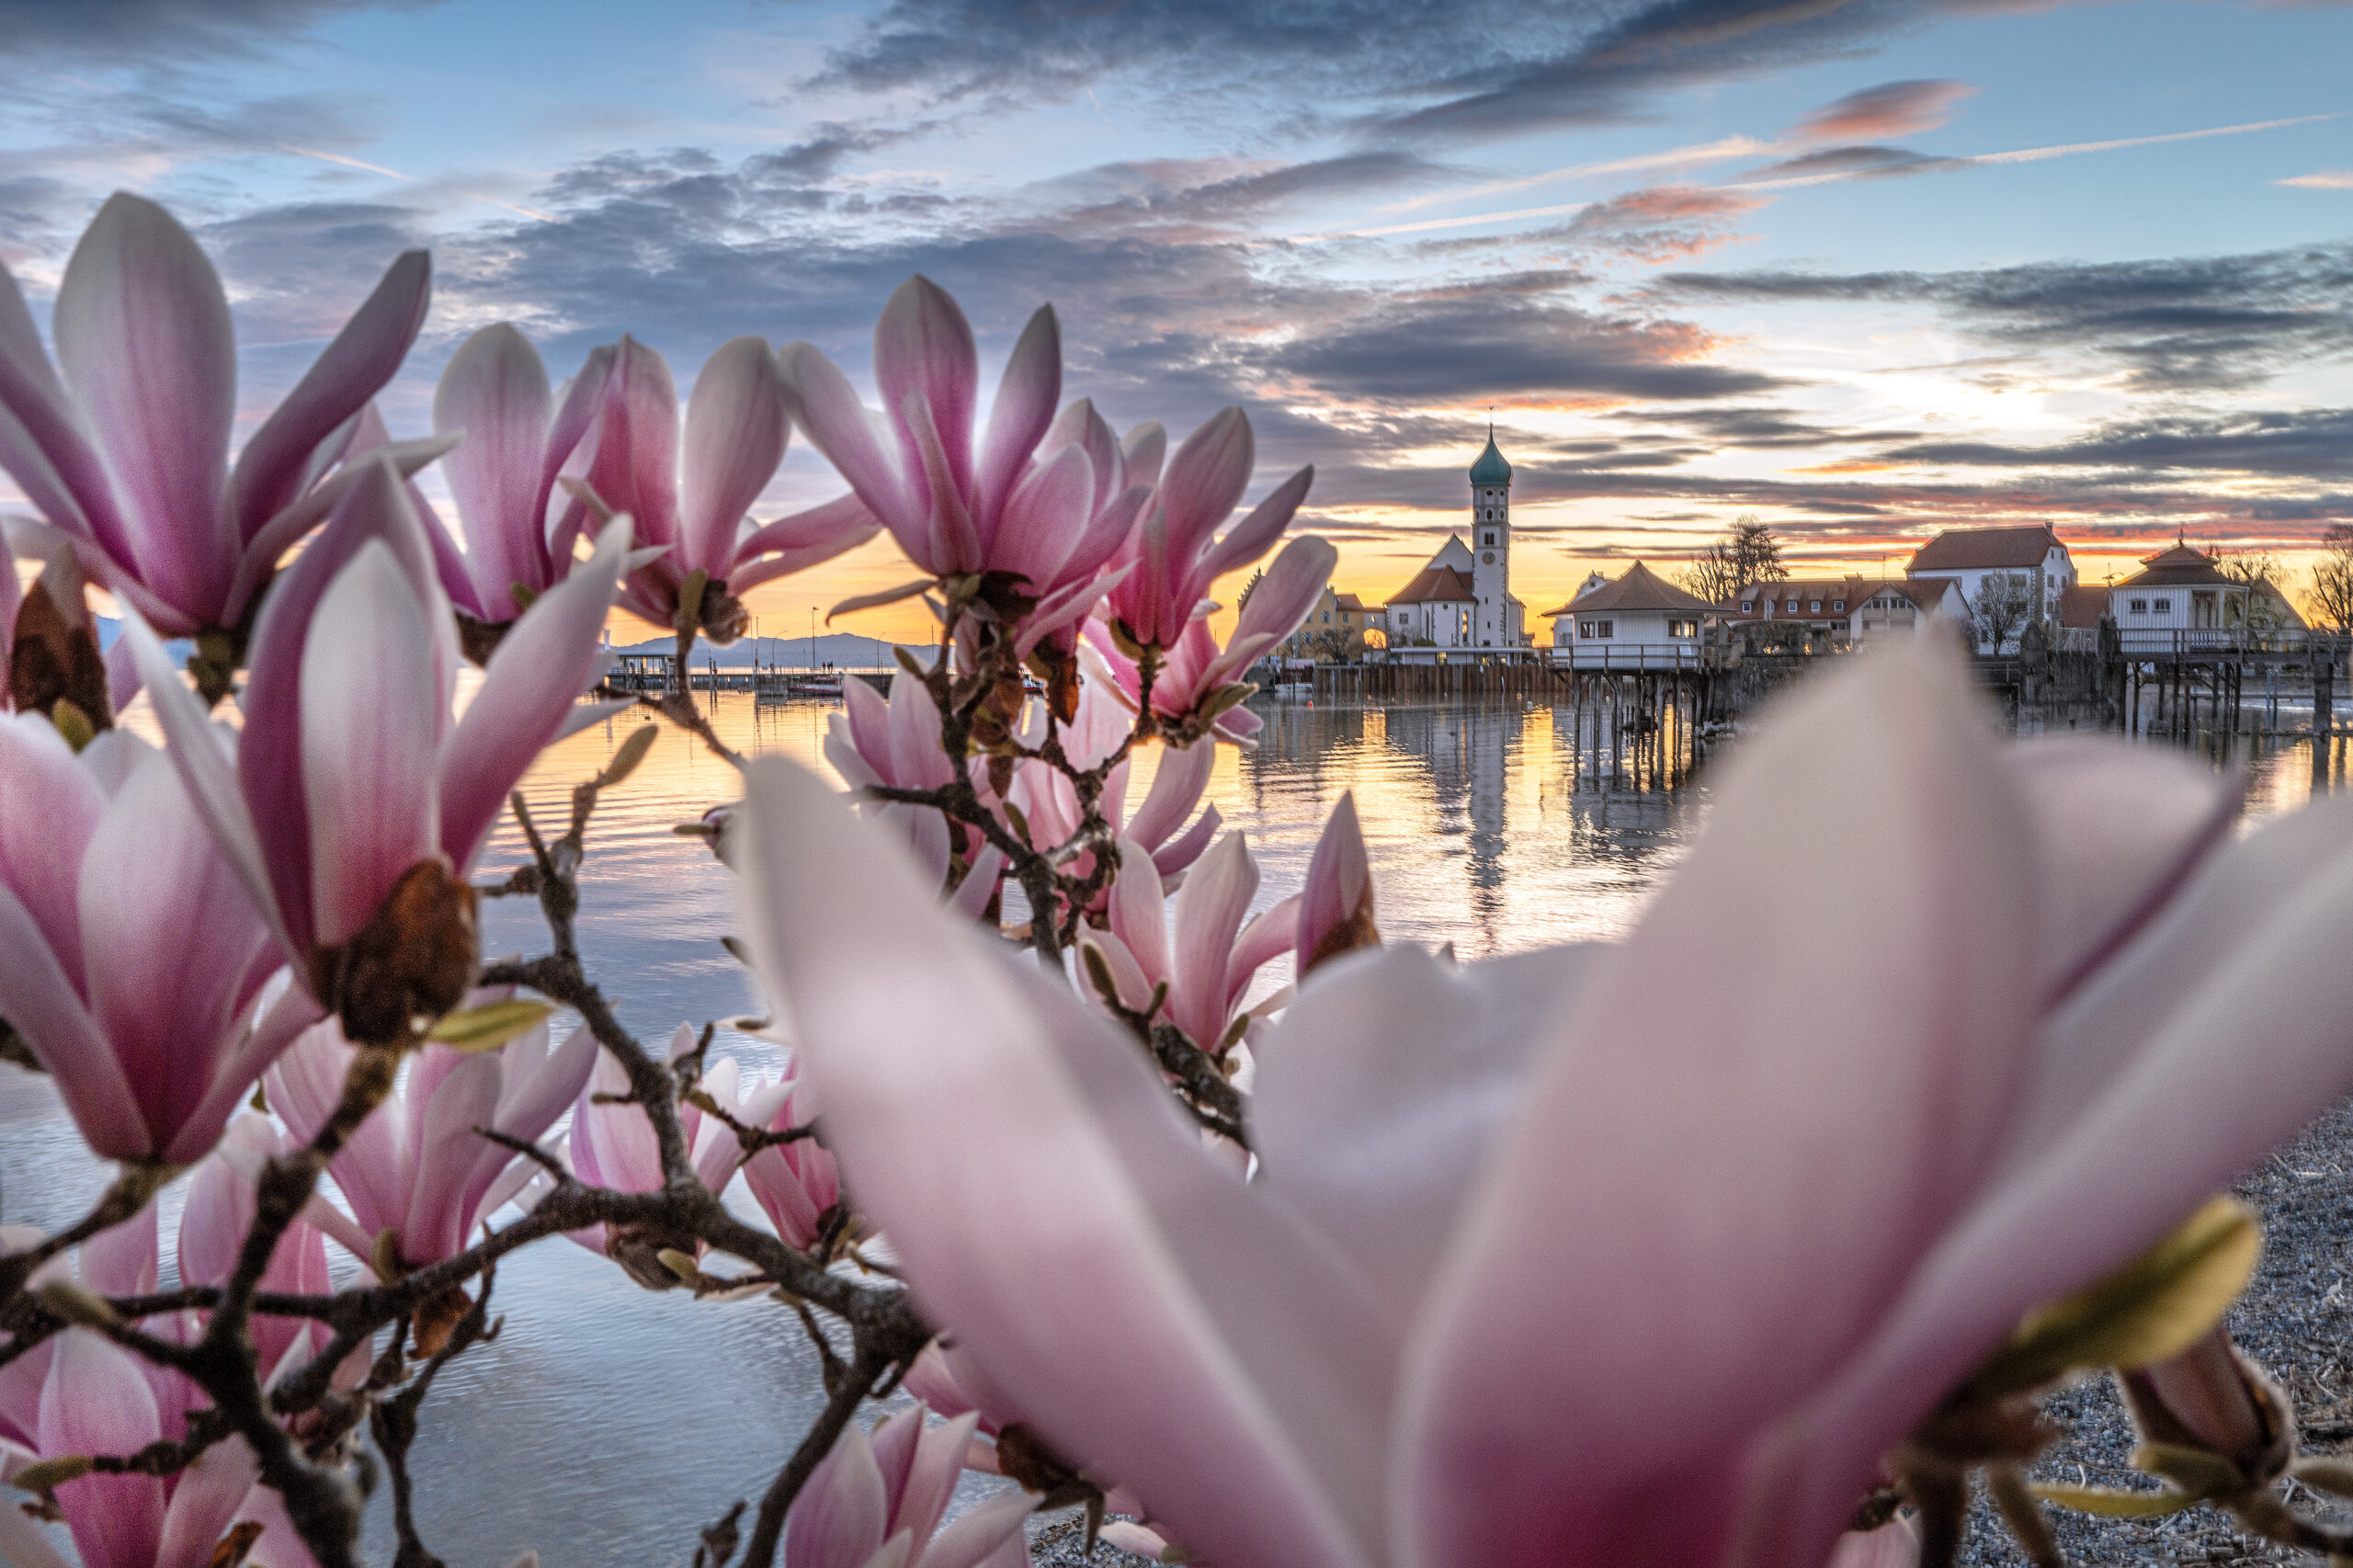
(1858, 267)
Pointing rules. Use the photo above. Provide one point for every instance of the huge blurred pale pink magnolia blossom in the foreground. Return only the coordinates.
(1559, 1258)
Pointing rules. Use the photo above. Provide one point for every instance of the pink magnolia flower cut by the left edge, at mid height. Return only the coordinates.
(131, 959)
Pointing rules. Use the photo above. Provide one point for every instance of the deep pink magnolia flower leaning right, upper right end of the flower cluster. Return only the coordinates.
(1178, 552)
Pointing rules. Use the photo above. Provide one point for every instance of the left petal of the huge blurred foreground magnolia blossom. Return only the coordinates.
(1107, 1265)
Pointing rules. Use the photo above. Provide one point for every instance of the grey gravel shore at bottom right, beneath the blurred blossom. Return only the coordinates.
(2298, 1320)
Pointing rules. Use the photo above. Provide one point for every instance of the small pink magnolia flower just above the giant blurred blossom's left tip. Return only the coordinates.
(895, 743)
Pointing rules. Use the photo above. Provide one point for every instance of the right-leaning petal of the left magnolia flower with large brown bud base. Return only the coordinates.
(526, 700)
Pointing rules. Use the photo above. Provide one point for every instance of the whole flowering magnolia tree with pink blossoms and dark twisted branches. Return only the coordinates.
(1382, 1268)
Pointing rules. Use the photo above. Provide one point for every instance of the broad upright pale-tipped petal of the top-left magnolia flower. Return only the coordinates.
(147, 347)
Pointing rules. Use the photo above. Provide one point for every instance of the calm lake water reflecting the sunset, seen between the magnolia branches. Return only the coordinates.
(611, 1423)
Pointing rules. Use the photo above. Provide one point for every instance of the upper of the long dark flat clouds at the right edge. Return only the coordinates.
(2197, 324)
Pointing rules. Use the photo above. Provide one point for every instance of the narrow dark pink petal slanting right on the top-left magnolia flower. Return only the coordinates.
(354, 368)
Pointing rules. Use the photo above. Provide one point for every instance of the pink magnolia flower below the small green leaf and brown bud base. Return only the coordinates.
(418, 1171)
